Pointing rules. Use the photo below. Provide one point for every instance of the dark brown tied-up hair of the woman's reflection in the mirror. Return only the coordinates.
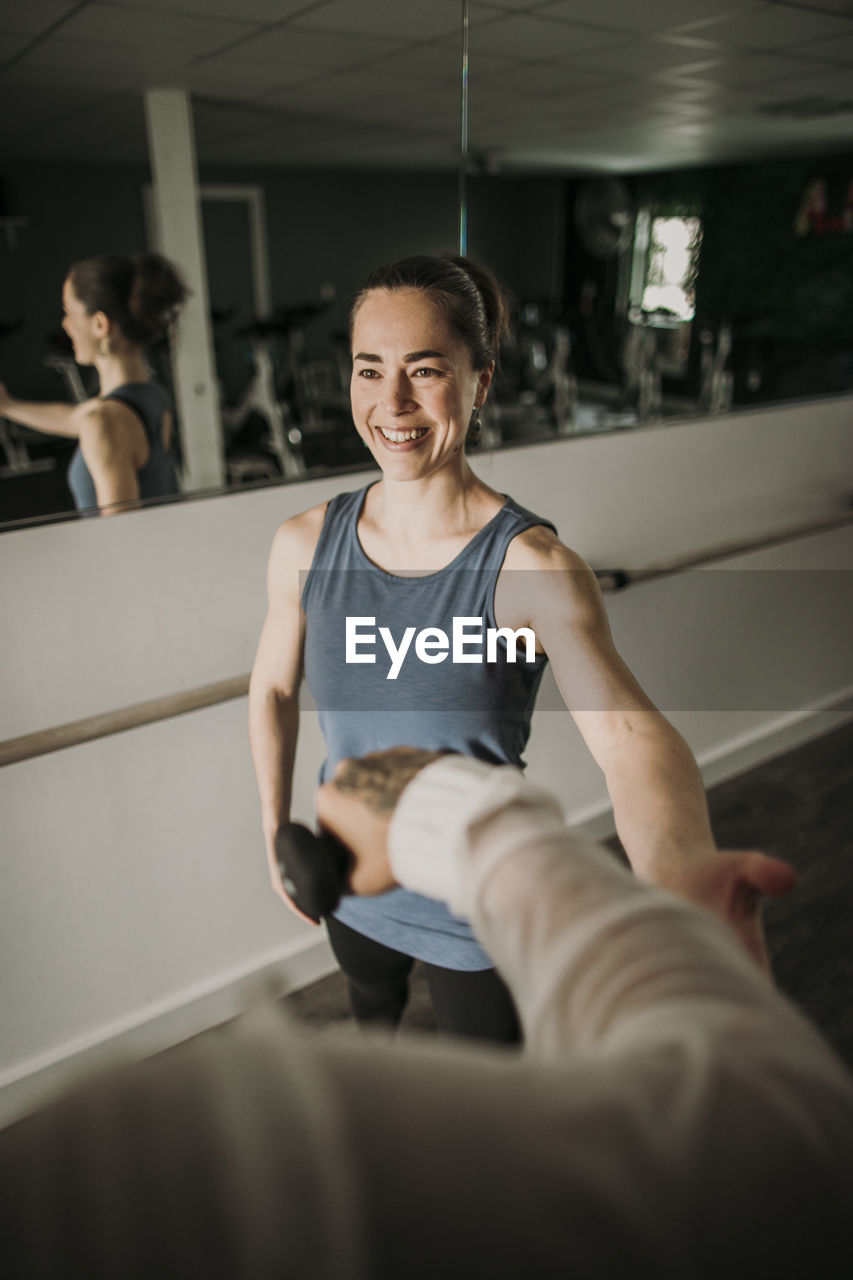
(142, 295)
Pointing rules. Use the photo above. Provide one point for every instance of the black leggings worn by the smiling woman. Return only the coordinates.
(477, 1005)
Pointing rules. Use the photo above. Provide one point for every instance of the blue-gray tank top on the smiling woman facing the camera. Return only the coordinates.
(409, 694)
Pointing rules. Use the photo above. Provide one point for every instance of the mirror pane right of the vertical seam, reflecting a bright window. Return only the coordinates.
(695, 203)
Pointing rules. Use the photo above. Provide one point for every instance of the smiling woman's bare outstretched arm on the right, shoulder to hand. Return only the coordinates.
(653, 779)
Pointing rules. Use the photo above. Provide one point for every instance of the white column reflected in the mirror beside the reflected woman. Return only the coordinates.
(180, 237)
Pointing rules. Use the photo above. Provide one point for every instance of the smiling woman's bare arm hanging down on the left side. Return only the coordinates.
(277, 674)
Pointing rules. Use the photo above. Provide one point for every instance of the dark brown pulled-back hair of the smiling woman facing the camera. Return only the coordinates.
(466, 291)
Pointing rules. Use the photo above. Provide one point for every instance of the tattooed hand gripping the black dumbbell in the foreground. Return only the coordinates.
(358, 807)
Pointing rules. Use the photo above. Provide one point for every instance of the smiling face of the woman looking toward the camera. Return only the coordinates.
(414, 387)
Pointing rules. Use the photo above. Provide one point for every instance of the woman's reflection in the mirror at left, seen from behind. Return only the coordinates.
(115, 308)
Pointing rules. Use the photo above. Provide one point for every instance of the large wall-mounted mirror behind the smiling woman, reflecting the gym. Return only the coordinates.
(665, 189)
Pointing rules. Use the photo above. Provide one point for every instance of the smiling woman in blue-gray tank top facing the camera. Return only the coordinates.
(431, 541)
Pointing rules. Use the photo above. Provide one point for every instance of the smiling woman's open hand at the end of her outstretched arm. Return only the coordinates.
(733, 885)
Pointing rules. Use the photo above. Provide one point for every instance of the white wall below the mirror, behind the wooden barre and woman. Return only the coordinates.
(135, 907)
